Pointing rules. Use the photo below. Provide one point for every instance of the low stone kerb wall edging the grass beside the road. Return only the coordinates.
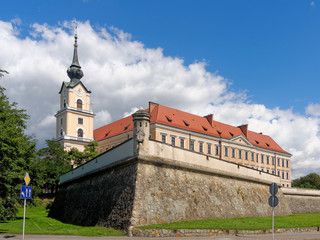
(137, 232)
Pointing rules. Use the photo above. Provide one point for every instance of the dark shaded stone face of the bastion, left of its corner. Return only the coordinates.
(102, 199)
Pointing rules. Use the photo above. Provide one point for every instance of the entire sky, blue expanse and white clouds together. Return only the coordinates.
(247, 62)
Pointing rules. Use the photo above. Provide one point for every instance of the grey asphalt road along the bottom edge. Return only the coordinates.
(290, 236)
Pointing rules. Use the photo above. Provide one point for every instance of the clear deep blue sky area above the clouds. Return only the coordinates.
(270, 49)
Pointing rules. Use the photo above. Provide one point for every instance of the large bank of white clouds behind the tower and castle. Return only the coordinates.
(124, 74)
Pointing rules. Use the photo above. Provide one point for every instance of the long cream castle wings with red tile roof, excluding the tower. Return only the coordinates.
(205, 136)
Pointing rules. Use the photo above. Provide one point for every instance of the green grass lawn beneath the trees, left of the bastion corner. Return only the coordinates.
(37, 222)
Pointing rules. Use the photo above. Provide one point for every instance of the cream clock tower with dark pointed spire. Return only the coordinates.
(74, 120)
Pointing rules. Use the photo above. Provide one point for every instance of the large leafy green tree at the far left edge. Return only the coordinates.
(17, 151)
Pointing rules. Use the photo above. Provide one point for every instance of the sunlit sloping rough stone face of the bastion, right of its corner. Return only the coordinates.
(167, 193)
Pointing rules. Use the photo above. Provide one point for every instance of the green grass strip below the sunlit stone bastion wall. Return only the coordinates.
(249, 223)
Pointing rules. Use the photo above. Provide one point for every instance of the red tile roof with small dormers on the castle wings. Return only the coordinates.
(190, 122)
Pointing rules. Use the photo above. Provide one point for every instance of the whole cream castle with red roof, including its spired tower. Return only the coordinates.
(203, 135)
